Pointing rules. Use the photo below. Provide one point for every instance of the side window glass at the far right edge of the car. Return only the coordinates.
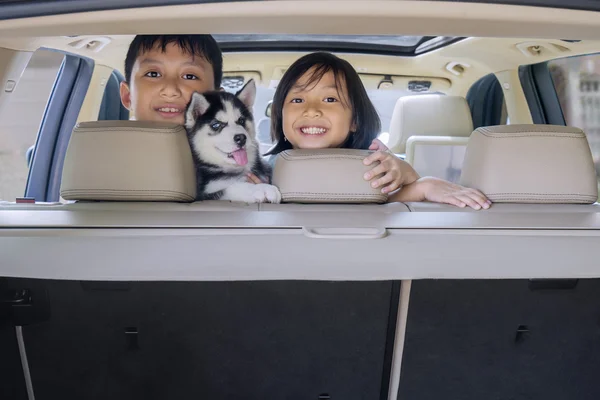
(577, 84)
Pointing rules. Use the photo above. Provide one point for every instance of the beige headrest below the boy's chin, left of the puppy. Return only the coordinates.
(128, 161)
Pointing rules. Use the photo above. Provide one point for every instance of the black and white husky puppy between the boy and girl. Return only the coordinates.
(218, 124)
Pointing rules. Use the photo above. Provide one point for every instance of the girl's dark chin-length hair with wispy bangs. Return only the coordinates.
(364, 114)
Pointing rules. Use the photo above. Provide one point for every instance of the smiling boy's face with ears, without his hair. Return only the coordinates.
(162, 84)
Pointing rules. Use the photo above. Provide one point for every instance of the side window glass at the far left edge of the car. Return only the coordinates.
(20, 118)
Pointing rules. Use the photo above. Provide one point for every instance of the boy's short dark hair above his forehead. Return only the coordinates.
(199, 45)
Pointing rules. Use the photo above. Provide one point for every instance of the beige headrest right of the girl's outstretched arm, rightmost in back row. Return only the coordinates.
(531, 164)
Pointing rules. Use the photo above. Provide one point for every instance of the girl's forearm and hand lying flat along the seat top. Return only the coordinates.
(441, 191)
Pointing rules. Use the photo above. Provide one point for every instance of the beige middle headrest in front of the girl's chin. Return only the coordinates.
(324, 176)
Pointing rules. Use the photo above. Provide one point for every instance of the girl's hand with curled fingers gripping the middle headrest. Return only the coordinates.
(395, 172)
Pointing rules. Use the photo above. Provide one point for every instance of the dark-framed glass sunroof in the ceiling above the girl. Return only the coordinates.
(374, 44)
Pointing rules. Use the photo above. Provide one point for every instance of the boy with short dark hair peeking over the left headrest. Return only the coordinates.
(162, 72)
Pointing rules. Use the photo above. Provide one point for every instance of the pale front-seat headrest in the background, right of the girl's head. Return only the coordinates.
(428, 115)
